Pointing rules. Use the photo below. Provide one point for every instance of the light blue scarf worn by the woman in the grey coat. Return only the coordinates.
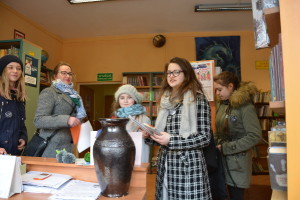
(68, 90)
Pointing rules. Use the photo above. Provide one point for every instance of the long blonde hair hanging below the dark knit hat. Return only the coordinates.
(5, 87)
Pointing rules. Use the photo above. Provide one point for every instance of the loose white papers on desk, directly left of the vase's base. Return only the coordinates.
(77, 190)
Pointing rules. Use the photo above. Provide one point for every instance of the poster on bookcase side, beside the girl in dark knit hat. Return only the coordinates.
(31, 71)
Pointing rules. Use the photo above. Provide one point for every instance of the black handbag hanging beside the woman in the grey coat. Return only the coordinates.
(37, 145)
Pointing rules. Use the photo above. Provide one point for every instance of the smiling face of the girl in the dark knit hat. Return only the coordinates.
(13, 71)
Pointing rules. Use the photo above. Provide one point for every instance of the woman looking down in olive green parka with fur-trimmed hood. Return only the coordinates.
(238, 130)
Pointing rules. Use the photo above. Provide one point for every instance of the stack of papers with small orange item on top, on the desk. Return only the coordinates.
(43, 182)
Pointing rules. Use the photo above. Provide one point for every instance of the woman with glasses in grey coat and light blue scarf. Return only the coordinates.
(59, 108)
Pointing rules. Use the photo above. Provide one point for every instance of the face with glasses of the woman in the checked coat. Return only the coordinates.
(175, 76)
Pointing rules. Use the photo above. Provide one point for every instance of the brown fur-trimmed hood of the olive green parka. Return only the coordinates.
(244, 94)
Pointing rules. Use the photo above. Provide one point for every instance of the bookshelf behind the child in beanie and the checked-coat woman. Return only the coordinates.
(148, 84)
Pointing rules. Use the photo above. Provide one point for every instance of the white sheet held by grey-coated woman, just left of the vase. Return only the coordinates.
(84, 136)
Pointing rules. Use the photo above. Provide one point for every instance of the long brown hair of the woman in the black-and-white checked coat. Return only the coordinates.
(190, 80)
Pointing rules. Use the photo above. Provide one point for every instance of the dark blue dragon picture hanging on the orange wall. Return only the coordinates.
(225, 51)
